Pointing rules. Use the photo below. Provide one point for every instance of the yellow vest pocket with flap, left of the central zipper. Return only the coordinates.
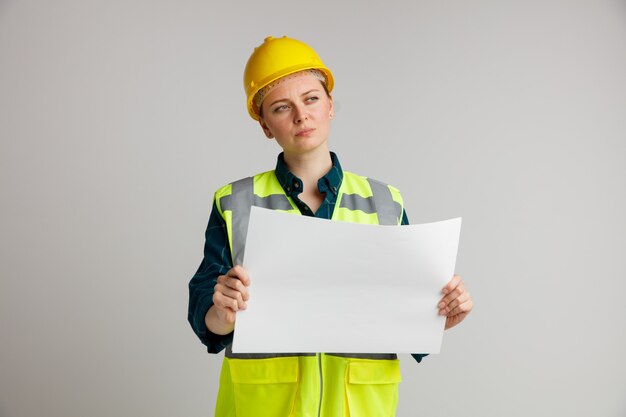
(264, 387)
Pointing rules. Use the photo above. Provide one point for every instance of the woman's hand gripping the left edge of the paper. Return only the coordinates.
(231, 294)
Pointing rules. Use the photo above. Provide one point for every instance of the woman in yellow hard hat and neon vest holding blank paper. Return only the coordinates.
(288, 92)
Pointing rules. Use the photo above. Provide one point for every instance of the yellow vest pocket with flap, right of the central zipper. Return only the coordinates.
(372, 387)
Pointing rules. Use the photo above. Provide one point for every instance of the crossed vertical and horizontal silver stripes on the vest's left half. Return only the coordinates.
(239, 202)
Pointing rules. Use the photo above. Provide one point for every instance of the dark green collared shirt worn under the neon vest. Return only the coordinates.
(217, 257)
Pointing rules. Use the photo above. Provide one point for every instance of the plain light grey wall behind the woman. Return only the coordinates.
(119, 119)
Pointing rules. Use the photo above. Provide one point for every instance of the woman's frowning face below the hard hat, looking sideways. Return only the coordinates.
(297, 113)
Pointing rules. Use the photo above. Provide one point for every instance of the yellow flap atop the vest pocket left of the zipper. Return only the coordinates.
(264, 371)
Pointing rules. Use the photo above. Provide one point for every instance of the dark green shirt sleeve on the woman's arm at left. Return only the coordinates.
(216, 261)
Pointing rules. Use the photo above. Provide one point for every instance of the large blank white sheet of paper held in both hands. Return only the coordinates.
(323, 286)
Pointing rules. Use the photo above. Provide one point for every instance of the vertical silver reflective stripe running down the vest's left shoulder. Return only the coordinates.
(240, 202)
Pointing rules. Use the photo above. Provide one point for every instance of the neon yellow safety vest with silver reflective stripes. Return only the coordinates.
(307, 384)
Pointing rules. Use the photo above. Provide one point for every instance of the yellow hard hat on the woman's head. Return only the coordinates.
(274, 59)
